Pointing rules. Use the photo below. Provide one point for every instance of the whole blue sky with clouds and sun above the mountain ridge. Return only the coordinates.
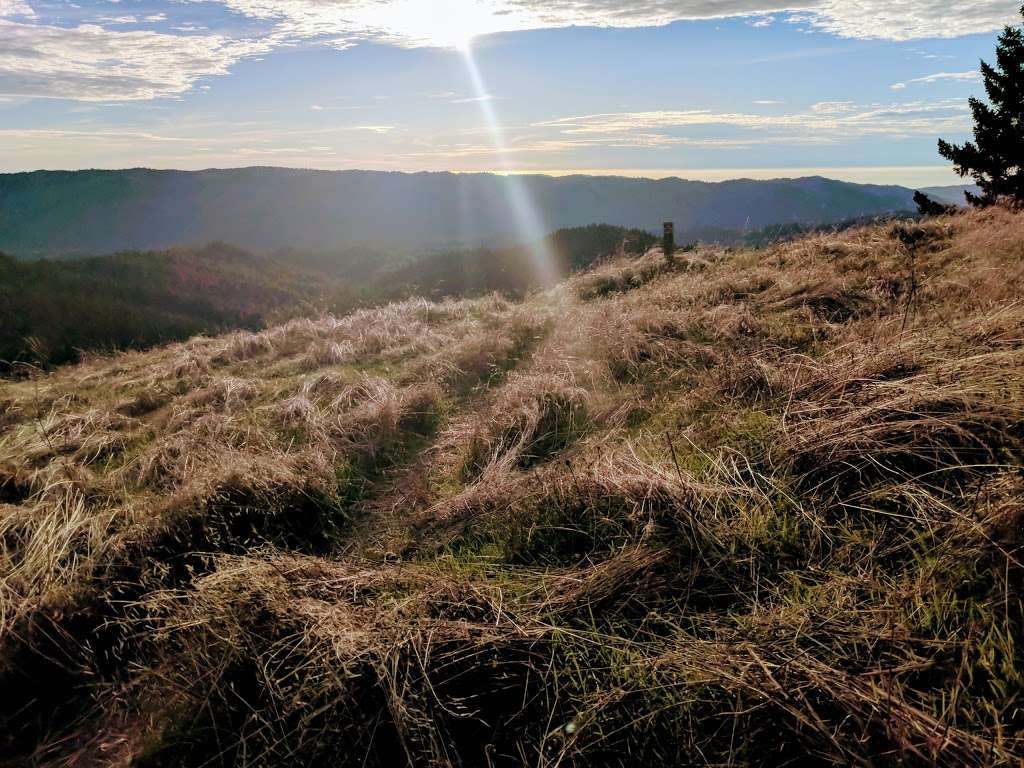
(706, 90)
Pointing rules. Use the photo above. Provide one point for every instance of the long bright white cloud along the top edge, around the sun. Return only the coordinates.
(449, 23)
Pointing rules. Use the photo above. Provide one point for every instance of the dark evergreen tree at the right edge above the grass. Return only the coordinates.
(996, 158)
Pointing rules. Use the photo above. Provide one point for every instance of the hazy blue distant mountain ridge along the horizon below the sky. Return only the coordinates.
(94, 212)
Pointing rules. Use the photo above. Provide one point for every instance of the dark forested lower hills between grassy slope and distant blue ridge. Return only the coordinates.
(52, 311)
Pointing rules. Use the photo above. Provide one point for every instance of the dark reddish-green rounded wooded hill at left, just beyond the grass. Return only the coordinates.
(53, 311)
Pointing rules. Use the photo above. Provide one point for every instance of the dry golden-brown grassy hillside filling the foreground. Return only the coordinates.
(760, 508)
